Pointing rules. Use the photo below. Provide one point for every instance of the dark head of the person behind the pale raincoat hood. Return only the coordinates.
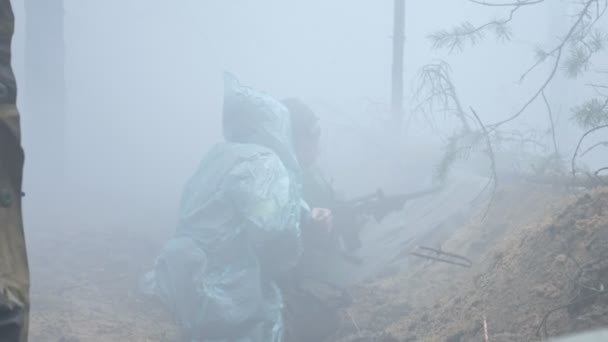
(306, 131)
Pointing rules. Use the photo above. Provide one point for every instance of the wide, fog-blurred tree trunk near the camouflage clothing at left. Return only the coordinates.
(45, 84)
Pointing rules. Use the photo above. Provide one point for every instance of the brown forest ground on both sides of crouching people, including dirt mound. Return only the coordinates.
(540, 263)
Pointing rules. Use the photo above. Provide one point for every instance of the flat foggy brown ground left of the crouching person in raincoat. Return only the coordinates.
(85, 265)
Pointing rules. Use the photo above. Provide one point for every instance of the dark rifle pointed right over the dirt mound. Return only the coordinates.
(347, 214)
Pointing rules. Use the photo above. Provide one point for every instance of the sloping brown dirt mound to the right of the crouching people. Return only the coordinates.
(540, 268)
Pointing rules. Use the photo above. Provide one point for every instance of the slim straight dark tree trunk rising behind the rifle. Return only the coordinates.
(397, 74)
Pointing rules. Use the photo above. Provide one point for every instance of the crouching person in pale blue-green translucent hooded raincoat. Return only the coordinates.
(239, 227)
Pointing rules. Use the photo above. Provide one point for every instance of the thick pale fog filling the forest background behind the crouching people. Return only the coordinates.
(144, 95)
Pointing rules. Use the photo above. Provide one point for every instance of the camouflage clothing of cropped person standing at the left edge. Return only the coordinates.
(14, 274)
